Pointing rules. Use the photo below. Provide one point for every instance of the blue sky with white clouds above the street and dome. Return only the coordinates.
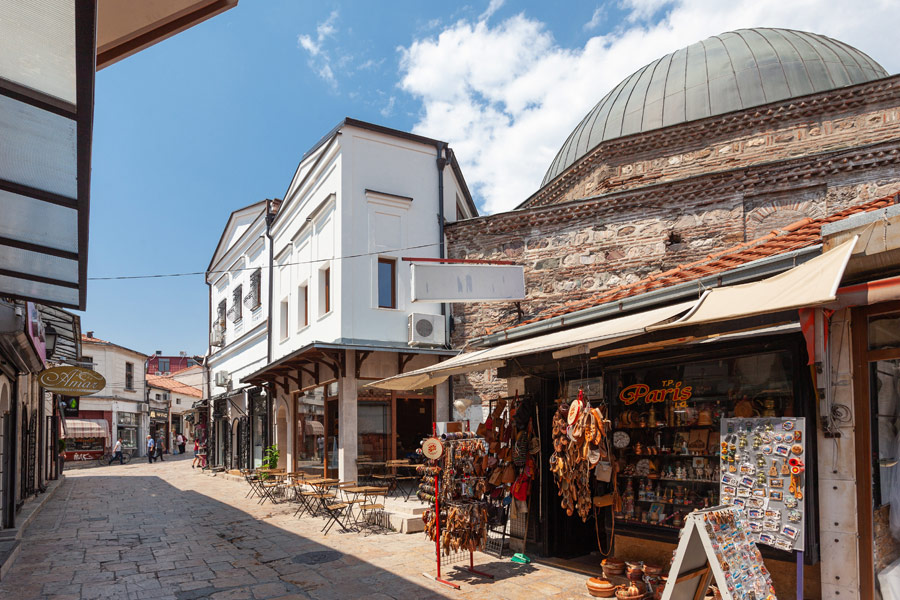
(217, 117)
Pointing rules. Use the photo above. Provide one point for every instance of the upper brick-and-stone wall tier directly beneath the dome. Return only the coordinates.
(838, 119)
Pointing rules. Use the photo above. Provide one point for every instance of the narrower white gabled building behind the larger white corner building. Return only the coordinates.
(233, 415)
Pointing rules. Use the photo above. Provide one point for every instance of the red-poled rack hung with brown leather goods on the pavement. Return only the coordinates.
(458, 521)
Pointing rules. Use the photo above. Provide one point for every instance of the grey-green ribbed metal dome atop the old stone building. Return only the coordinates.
(732, 71)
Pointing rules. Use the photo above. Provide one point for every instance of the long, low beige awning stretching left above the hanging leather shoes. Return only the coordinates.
(579, 340)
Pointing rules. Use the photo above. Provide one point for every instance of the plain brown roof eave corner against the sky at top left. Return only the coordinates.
(124, 28)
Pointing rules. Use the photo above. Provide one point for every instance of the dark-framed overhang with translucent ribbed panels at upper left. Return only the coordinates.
(47, 52)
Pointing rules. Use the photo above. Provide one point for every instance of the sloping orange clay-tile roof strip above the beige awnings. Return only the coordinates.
(800, 234)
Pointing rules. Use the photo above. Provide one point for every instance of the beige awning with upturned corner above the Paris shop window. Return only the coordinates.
(813, 283)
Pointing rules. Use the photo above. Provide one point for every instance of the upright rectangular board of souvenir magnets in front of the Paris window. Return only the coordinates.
(763, 475)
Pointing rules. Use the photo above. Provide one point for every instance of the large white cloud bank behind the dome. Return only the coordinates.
(506, 96)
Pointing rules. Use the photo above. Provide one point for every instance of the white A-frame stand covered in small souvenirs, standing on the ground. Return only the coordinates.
(715, 546)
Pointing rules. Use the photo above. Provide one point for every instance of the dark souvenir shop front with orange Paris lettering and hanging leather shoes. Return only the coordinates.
(674, 424)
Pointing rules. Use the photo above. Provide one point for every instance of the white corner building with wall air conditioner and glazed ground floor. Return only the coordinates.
(363, 198)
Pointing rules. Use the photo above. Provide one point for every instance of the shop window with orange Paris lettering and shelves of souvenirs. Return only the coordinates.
(666, 428)
